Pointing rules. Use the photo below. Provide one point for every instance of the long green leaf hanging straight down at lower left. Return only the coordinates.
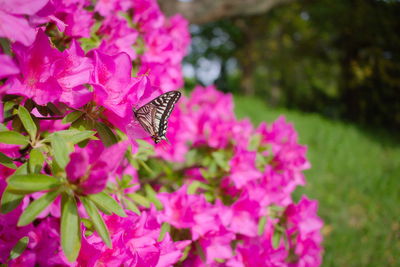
(70, 228)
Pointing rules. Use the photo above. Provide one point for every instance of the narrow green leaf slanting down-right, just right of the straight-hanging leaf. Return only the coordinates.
(97, 220)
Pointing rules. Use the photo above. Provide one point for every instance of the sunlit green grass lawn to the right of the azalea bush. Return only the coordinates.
(355, 176)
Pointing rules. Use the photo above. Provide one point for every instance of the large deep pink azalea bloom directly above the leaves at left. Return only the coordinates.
(48, 75)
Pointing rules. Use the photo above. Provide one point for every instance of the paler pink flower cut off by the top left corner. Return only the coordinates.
(12, 23)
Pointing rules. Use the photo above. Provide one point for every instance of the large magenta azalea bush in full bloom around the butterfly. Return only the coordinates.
(219, 195)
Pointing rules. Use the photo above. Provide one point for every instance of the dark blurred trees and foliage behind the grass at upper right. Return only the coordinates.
(339, 58)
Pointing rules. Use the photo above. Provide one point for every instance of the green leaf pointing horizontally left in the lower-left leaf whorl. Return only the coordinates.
(29, 183)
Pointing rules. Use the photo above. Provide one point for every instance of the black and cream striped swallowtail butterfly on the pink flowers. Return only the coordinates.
(154, 115)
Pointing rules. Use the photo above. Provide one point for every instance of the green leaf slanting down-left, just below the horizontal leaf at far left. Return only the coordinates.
(36, 207)
